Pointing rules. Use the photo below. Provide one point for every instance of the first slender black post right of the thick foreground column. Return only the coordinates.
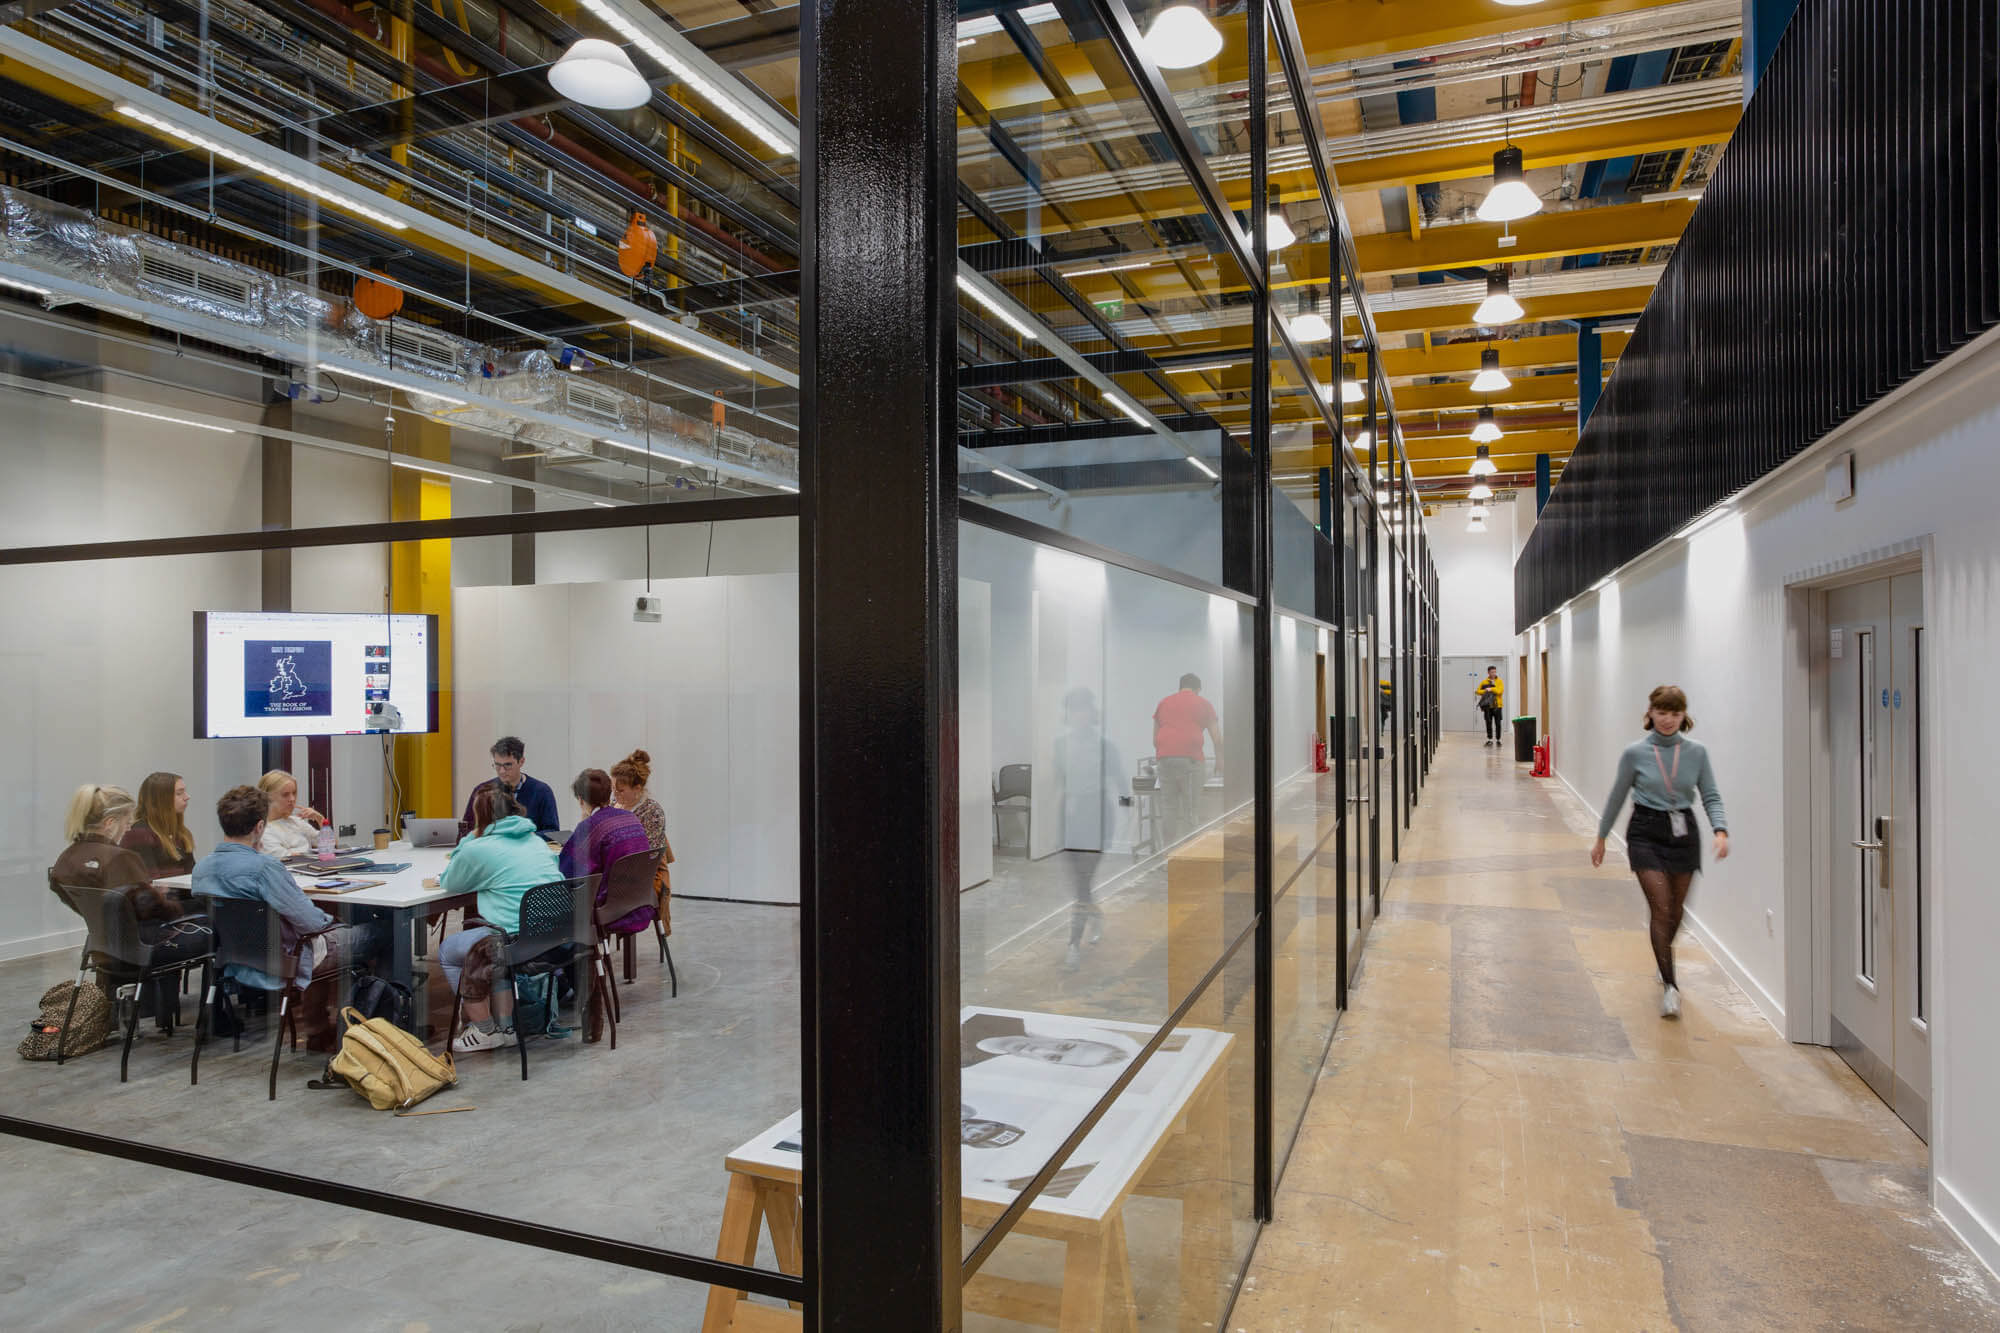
(1263, 1168)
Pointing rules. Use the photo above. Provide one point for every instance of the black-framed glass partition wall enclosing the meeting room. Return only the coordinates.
(909, 509)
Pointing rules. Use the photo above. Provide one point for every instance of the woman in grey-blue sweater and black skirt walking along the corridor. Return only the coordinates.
(1665, 772)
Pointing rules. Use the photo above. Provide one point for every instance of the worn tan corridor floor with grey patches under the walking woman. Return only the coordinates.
(1507, 1136)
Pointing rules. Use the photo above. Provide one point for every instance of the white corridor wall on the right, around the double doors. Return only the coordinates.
(1711, 615)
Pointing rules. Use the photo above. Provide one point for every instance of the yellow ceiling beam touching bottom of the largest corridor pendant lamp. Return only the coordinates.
(1547, 235)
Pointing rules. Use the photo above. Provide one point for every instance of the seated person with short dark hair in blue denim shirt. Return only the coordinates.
(237, 870)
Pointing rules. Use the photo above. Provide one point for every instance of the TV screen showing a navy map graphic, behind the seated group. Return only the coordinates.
(307, 674)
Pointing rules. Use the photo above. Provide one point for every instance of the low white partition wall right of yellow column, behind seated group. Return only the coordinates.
(711, 694)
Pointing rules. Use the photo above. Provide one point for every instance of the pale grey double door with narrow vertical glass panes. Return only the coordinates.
(1877, 892)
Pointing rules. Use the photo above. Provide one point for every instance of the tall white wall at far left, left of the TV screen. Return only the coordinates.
(97, 665)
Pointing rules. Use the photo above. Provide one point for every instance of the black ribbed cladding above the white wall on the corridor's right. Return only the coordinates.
(1849, 241)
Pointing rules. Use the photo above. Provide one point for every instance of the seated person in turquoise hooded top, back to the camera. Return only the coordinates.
(501, 862)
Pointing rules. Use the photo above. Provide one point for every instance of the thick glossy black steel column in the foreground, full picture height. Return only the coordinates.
(879, 557)
